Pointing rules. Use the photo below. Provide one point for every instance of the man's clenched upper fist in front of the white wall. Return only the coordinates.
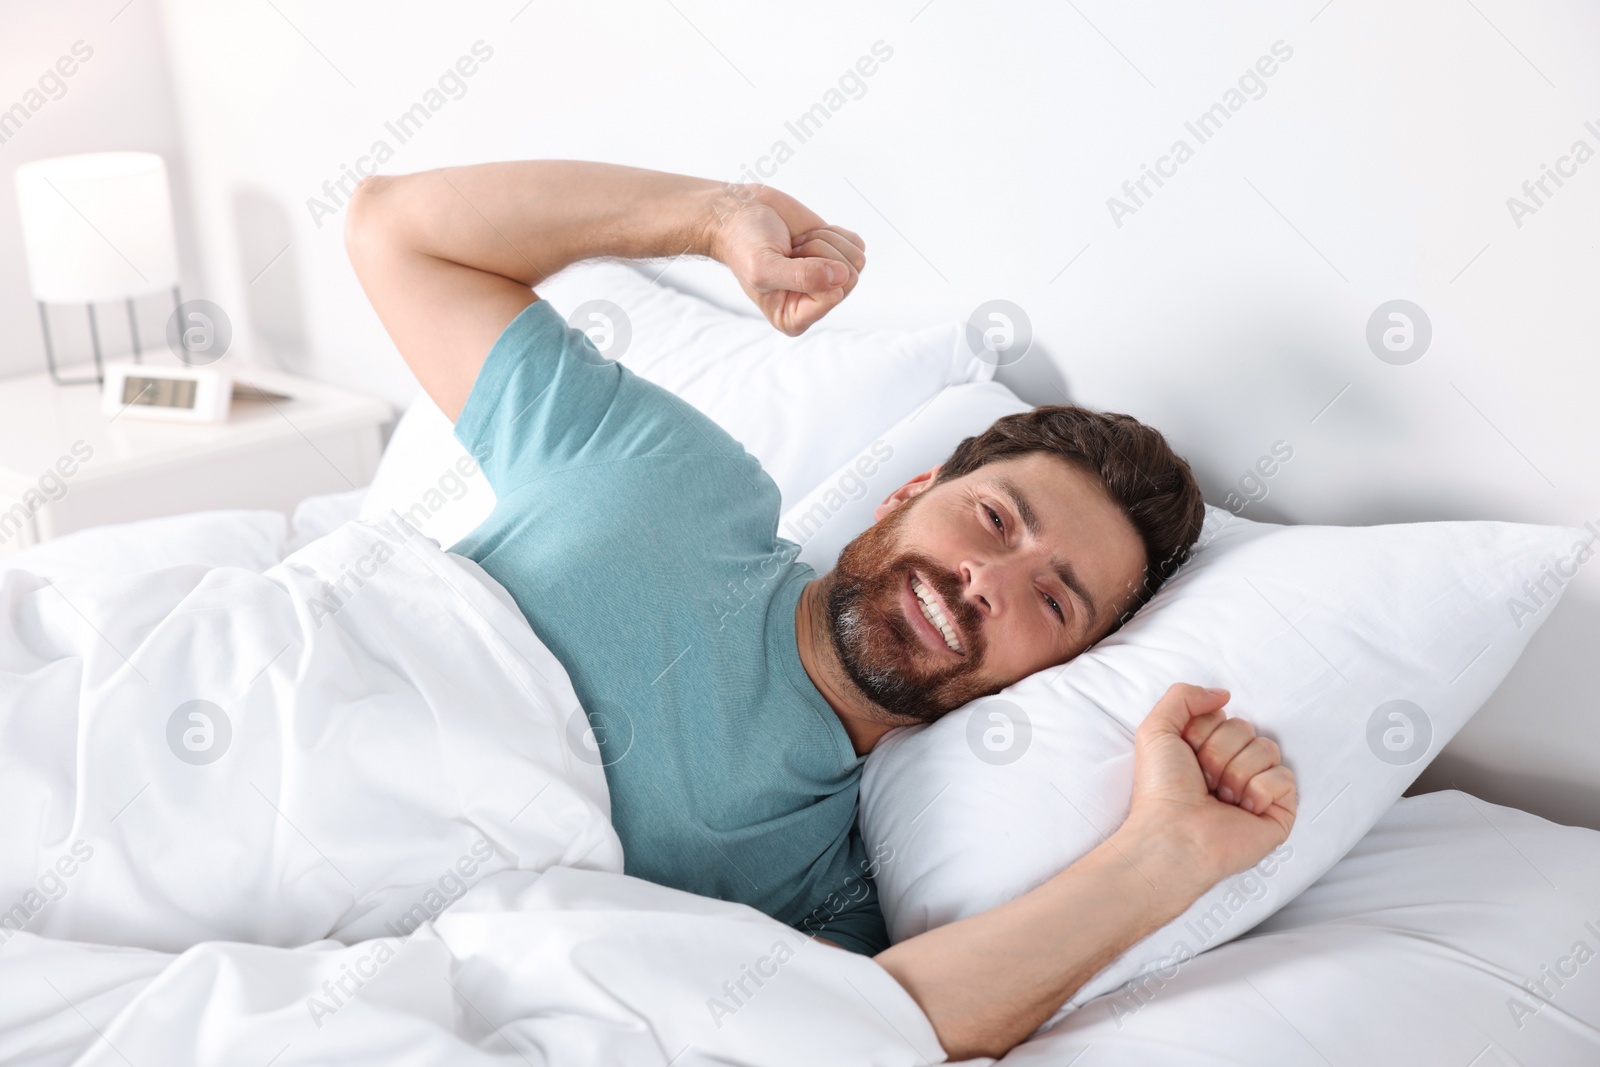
(793, 265)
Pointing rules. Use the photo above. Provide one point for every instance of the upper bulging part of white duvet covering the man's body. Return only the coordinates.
(332, 749)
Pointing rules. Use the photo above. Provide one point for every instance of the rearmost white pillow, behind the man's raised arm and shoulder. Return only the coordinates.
(801, 406)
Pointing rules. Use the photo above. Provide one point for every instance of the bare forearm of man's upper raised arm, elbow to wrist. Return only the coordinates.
(529, 220)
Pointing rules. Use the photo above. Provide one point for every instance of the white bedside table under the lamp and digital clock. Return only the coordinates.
(66, 466)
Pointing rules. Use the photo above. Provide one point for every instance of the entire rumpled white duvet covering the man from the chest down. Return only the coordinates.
(342, 809)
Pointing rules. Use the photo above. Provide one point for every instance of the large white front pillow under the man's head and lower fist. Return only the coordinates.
(1359, 650)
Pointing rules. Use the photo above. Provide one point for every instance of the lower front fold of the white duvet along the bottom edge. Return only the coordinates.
(566, 967)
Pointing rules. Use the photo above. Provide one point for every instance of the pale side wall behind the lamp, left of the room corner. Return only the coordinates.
(118, 100)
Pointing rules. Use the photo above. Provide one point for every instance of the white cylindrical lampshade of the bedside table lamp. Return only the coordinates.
(97, 228)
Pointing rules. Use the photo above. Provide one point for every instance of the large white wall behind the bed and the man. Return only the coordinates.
(1230, 310)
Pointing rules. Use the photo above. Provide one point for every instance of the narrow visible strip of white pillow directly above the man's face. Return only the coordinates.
(842, 506)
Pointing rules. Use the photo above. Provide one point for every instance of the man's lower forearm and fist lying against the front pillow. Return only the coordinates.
(990, 981)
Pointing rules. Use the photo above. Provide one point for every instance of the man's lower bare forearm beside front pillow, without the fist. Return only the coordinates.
(990, 981)
